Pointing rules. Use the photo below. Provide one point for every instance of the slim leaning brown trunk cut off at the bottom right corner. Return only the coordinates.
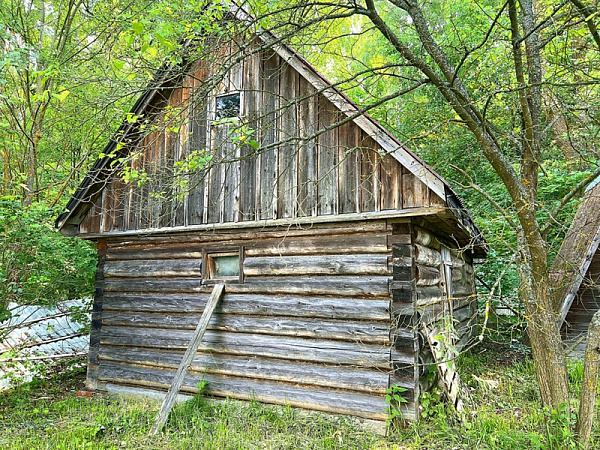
(589, 383)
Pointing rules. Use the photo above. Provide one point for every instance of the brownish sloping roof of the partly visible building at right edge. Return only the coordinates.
(576, 252)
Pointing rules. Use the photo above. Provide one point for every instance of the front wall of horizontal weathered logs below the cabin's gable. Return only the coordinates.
(310, 324)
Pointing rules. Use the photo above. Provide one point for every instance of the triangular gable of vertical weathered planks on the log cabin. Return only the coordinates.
(305, 165)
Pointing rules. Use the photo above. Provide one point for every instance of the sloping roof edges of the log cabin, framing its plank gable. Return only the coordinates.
(167, 77)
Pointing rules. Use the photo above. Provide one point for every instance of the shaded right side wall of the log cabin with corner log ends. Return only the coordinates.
(420, 294)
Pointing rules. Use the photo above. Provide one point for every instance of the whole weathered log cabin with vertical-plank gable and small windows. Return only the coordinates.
(336, 243)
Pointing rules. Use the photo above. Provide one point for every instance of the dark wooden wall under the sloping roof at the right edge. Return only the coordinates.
(586, 303)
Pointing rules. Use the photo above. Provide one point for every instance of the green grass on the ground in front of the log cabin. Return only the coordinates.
(506, 415)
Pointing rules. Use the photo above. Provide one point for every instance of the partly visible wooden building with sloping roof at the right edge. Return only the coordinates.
(576, 272)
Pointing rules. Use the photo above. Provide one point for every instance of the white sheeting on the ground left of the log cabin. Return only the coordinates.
(38, 333)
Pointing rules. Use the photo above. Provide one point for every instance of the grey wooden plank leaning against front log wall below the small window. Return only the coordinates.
(186, 362)
